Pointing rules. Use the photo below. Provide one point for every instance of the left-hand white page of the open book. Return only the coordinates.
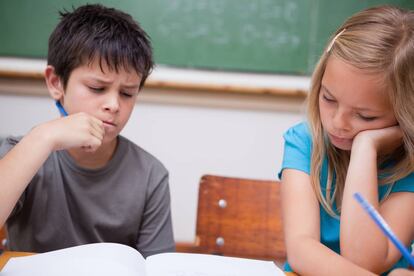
(103, 259)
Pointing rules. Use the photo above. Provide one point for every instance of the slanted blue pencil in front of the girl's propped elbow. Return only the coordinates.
(384, 227)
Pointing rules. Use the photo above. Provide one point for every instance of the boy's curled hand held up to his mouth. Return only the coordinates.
(79, 130)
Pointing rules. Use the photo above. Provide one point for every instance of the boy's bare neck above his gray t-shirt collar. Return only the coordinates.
(94, 160)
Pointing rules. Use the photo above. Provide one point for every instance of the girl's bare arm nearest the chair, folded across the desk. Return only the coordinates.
(301, 220)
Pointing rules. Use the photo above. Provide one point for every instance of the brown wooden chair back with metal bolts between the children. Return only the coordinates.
(239, 217)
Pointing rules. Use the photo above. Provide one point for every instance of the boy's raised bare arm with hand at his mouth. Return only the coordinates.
(22, 162)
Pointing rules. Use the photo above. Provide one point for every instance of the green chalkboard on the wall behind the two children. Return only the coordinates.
(273, 36)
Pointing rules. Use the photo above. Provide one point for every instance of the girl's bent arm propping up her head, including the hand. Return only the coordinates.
(362, 242)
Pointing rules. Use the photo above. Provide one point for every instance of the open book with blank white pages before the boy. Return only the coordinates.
(108, 259)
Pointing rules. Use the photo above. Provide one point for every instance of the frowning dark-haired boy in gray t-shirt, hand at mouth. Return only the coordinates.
(75, 180)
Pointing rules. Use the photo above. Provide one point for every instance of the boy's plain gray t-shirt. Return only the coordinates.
(127, 201)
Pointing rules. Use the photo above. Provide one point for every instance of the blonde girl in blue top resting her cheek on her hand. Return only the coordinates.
(359, 138)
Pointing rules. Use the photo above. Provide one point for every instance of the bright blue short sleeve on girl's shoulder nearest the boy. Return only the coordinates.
(297, 149)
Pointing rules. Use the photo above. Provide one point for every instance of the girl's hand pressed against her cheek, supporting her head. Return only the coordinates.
(384, 140)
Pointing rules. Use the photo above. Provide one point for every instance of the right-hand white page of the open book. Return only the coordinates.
(185, 264)
